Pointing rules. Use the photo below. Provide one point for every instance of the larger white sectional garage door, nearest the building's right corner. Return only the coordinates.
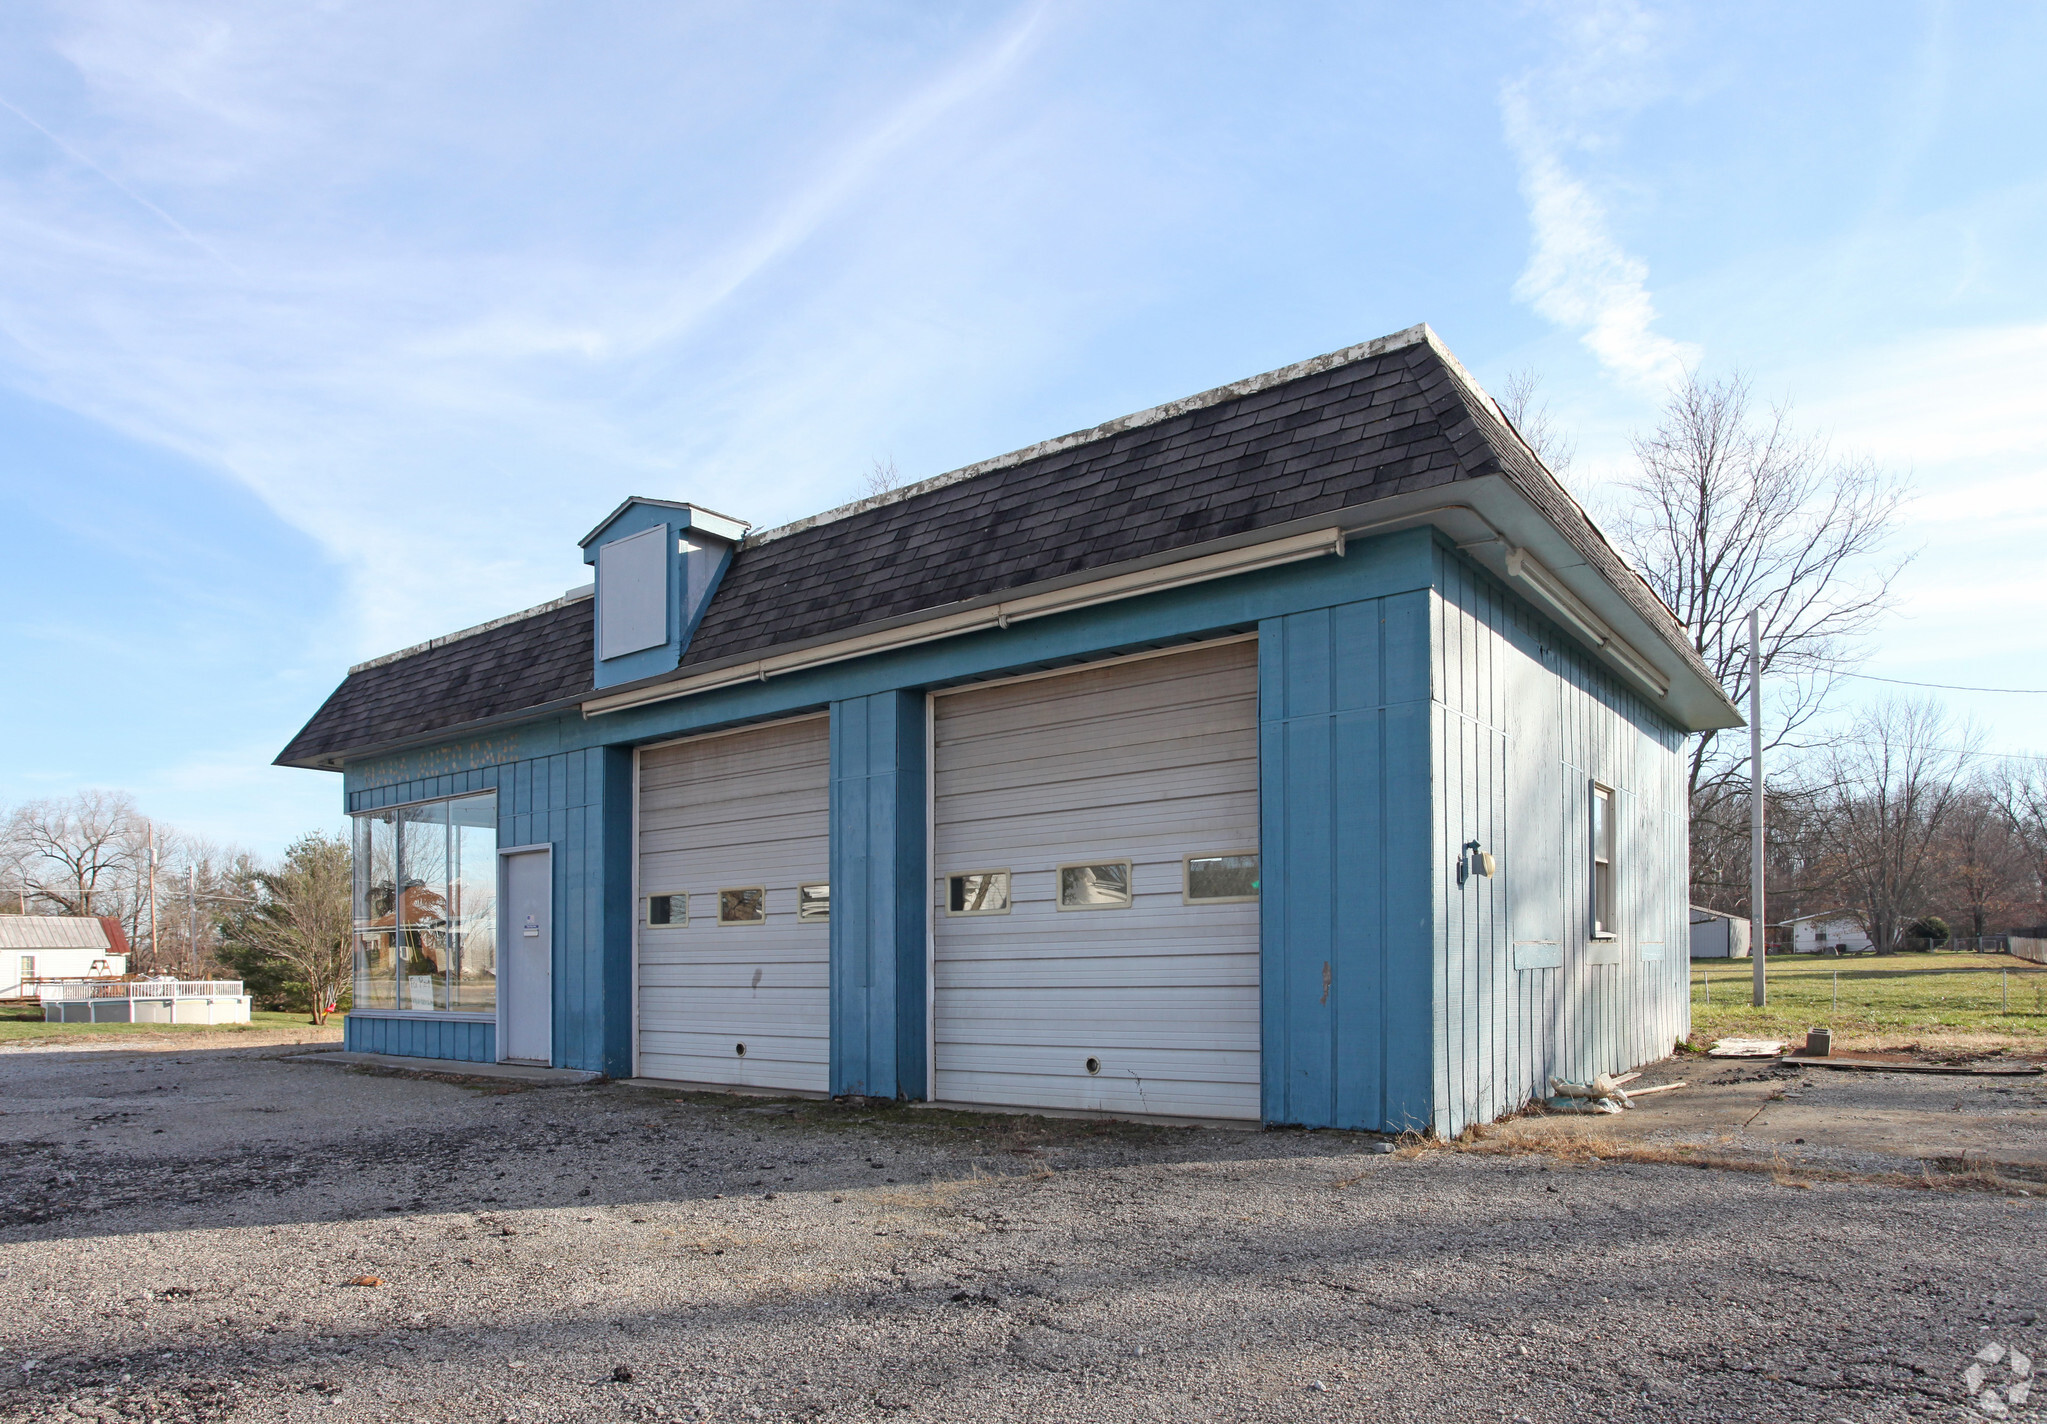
(1108, 789)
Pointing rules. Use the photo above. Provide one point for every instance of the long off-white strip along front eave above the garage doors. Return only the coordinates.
(1223, 566)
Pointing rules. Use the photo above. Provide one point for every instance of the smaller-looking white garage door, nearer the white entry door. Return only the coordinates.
(732, 975)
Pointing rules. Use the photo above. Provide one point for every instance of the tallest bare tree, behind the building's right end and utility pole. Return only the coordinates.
(1729, 513)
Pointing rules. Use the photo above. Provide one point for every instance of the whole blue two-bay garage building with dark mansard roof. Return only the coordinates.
(1297, 752)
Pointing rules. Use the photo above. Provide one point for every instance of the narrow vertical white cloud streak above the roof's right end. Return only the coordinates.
(1579, 273)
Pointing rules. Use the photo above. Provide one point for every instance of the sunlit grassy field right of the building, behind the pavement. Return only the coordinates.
(1882, 999)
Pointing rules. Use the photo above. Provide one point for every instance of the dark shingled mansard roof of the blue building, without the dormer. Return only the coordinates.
(1348, 431)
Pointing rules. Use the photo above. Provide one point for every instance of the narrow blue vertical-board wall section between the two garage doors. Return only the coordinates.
(879, 999)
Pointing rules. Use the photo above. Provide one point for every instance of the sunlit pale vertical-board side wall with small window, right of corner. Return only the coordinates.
(1524, 723)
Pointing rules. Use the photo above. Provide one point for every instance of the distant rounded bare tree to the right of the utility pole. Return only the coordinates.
(1894, 787)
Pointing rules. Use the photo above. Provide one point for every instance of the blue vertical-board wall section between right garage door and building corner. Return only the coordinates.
(1344, 922)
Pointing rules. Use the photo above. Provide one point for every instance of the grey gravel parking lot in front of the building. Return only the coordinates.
(181, 1231)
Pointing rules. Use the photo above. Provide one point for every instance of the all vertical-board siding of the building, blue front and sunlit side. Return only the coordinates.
(1407, 705)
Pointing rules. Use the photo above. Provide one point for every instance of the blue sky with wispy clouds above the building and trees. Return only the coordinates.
(331, 328)
